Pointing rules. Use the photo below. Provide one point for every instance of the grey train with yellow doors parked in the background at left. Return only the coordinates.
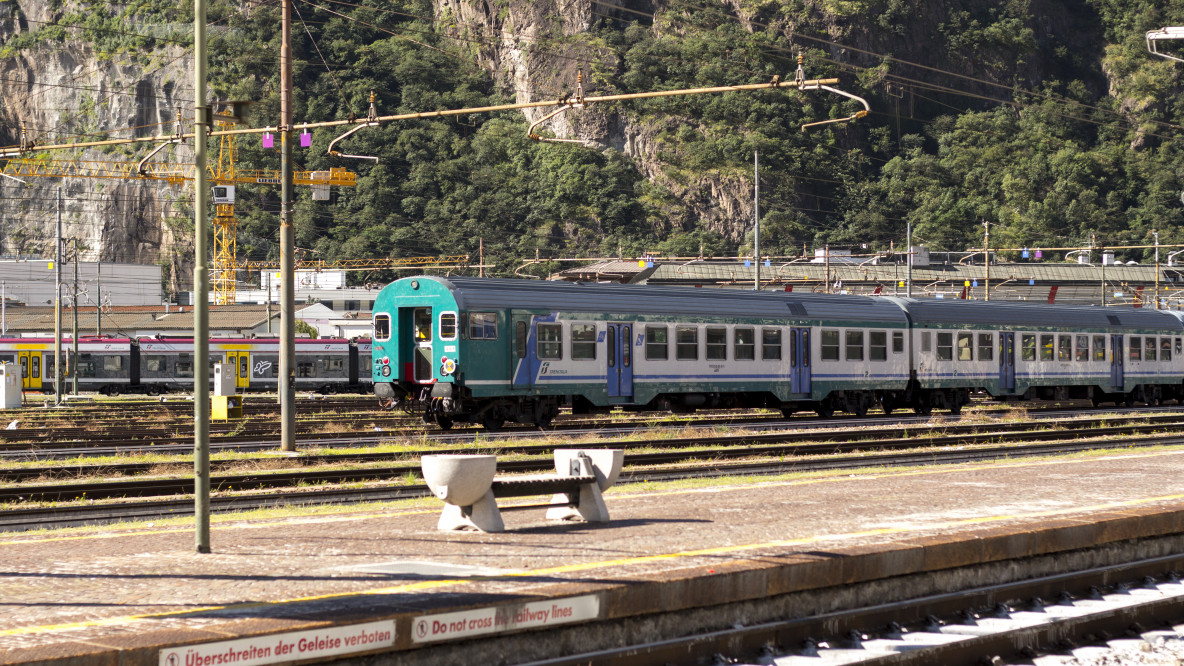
(159, 366)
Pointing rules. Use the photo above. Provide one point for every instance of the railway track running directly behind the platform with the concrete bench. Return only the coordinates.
(672, 465)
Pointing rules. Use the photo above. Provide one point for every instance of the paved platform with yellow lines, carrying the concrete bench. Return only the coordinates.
(385, 587)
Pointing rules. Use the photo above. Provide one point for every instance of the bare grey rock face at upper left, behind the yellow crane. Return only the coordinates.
(66, 93)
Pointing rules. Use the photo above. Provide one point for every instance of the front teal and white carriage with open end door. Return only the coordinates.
(491, 351)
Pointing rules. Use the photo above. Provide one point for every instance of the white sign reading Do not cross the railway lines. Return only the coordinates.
(448, 626)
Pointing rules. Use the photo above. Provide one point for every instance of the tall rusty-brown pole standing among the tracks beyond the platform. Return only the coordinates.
(287, 244)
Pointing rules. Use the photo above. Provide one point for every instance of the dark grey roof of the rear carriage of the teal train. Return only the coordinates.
(1027, 315)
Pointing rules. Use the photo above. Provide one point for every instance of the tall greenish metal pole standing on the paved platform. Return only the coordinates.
(201, 289)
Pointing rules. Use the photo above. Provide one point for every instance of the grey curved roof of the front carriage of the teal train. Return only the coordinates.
(482, 293)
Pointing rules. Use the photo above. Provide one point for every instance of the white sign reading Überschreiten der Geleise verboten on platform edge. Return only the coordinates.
(275, 649)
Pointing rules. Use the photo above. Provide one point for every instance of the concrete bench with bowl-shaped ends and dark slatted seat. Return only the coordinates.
(471, 490)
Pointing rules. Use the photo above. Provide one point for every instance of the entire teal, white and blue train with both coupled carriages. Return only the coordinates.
(490, 351)
